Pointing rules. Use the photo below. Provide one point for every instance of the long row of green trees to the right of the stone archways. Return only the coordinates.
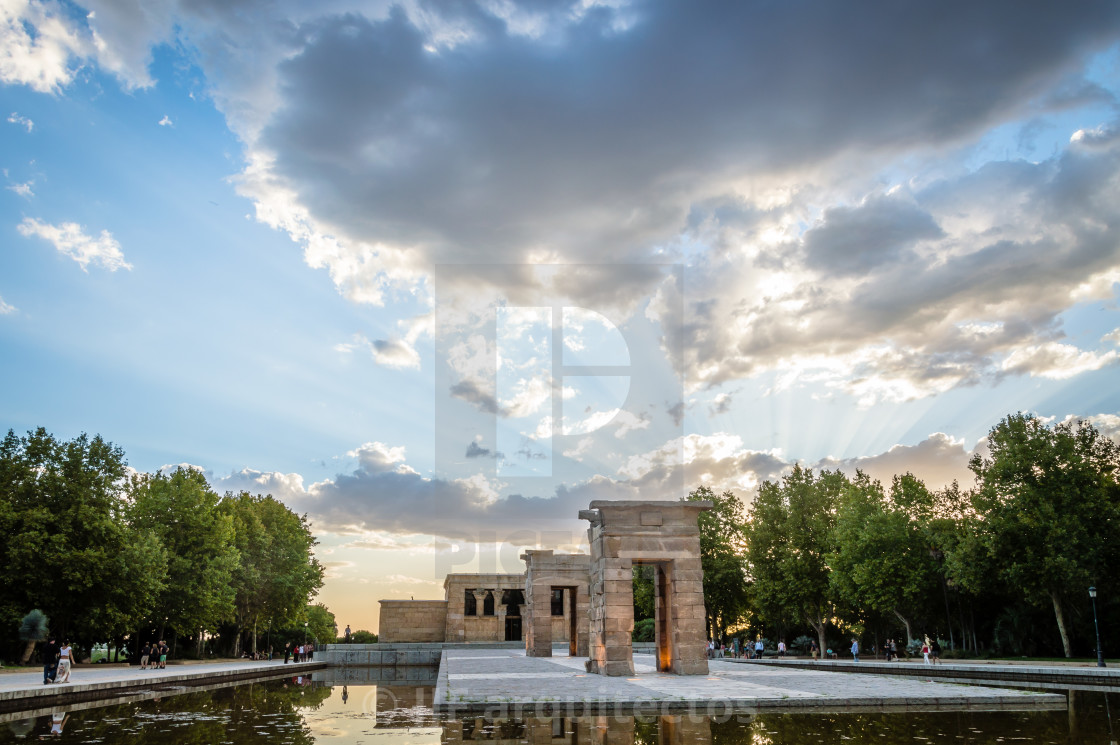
(1004, 566)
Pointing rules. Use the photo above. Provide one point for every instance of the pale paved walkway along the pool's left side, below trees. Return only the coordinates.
(25, 691)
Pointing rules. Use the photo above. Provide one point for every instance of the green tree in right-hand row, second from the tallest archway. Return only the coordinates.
(791, 534)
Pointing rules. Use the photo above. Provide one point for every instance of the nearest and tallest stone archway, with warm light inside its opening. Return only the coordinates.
(667, 536)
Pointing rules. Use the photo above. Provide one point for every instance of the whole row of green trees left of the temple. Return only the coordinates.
(109, 554)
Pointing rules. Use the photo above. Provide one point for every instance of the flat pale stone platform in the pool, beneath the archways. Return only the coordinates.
(506, 683)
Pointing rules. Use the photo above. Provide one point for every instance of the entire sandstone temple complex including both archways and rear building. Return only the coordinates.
(584, 601)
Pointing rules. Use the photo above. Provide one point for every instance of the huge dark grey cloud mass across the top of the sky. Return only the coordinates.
(598, 137)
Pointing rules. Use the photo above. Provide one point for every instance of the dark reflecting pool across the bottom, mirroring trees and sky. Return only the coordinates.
(301, 711)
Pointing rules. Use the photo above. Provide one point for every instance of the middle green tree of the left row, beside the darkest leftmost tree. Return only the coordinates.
(183, 511)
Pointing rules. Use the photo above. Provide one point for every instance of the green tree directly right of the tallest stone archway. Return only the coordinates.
(724, 558)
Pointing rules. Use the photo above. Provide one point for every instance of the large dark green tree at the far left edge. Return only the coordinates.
(66, 545)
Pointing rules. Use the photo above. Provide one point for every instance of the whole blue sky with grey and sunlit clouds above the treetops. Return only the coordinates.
(437, 275)
